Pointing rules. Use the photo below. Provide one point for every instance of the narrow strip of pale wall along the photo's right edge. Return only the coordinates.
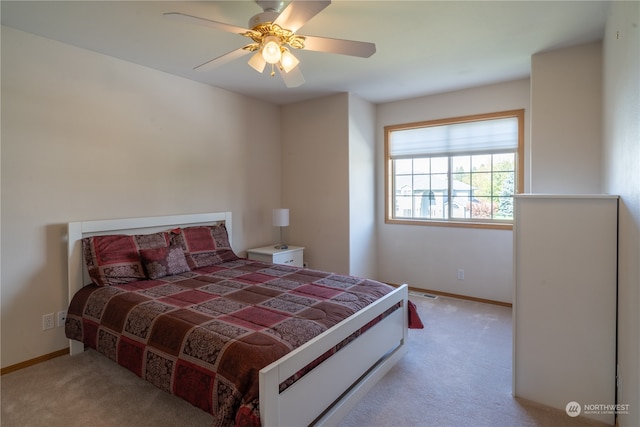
(622, 176)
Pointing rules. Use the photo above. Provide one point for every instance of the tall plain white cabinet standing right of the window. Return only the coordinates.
(565, 300)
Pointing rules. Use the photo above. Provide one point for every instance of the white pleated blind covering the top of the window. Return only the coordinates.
(465, 137)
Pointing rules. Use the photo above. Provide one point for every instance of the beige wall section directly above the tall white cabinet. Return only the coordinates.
(566, 117)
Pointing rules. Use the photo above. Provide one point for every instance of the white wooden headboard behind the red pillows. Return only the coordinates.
(77, 275)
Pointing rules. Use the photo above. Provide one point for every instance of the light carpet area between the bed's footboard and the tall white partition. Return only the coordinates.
(457, 373)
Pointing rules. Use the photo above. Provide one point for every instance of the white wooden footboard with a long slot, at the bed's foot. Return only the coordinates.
(324, 395)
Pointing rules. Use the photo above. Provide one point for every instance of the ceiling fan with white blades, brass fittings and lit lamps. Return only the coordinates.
(273, 33)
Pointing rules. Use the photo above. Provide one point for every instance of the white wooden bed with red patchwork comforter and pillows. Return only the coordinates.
(194, 329)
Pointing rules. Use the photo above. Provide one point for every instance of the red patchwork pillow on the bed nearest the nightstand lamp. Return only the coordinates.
(204, 245)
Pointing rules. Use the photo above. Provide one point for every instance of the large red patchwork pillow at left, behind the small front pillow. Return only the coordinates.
(115, 260)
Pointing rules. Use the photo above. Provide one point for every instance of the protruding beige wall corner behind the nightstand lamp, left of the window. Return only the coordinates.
(328, 181)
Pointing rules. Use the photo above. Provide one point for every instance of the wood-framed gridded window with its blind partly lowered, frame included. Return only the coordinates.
(457, 172)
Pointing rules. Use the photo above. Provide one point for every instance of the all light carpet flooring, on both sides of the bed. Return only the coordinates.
(457, 373)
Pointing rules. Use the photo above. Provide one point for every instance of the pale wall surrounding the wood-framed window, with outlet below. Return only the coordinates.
(429, 257)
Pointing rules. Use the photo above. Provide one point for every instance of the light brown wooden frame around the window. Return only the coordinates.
(466, 222)
